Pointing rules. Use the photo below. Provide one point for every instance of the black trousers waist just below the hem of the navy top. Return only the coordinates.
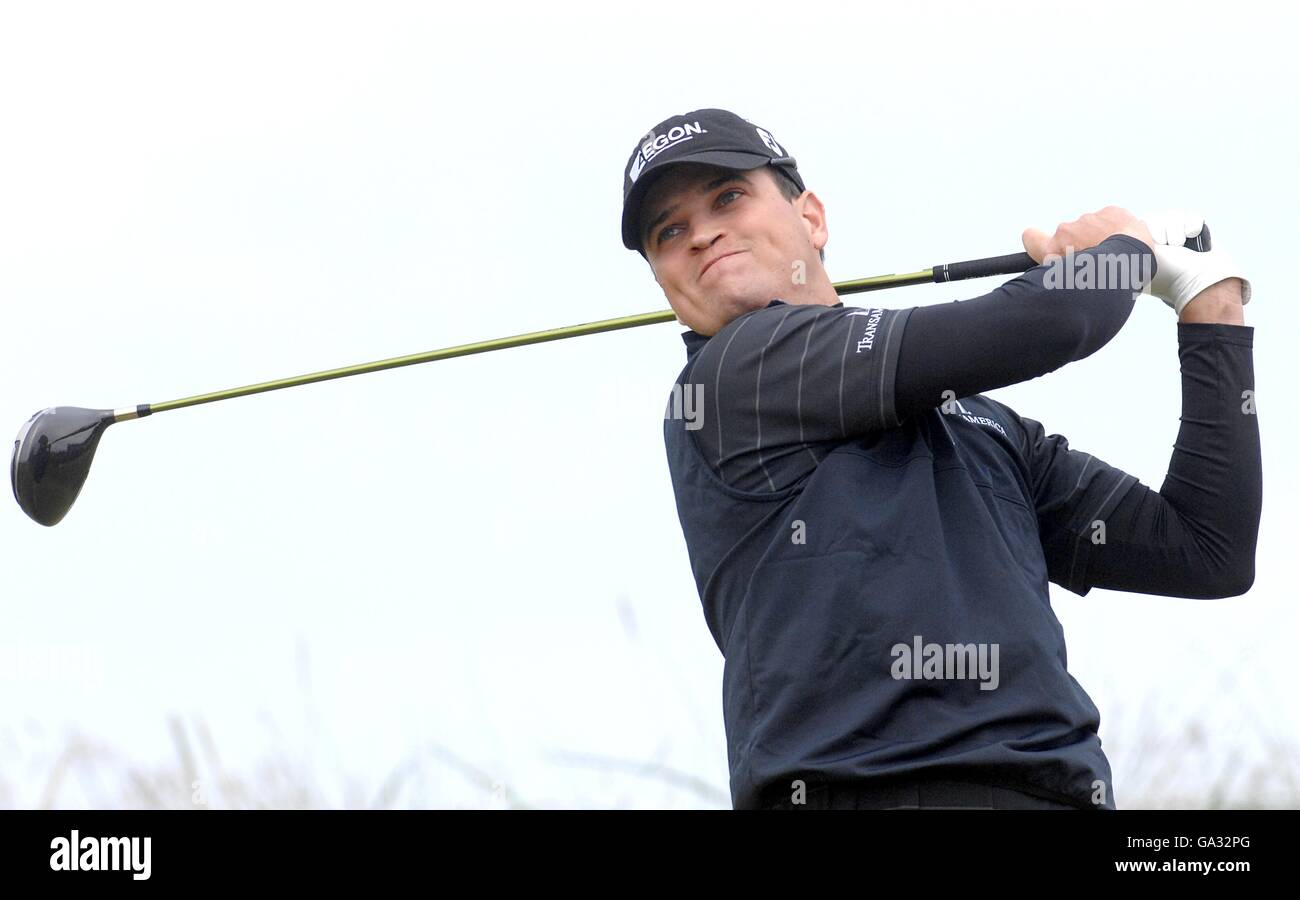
(930, 794)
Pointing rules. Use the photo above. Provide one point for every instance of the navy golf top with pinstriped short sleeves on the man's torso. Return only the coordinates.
(825, 534)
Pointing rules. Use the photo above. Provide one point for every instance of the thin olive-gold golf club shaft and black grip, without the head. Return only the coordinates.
(978, 269)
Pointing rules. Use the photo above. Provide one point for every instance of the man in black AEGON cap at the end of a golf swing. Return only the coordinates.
(870, 535)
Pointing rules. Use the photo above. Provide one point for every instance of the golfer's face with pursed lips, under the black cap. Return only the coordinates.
(723, 243)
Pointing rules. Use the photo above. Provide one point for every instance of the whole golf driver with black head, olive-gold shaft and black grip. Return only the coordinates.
(55, 448)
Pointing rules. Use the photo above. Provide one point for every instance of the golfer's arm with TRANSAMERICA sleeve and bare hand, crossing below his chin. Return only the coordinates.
(785, 384)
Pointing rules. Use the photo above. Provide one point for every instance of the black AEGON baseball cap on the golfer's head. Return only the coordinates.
(705, 136)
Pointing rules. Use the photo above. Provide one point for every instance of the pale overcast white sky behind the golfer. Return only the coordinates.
(482, 557)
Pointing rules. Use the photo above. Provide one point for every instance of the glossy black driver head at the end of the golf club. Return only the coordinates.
(53, 457)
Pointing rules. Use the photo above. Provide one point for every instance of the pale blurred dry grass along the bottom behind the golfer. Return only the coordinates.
(1162, 758)
